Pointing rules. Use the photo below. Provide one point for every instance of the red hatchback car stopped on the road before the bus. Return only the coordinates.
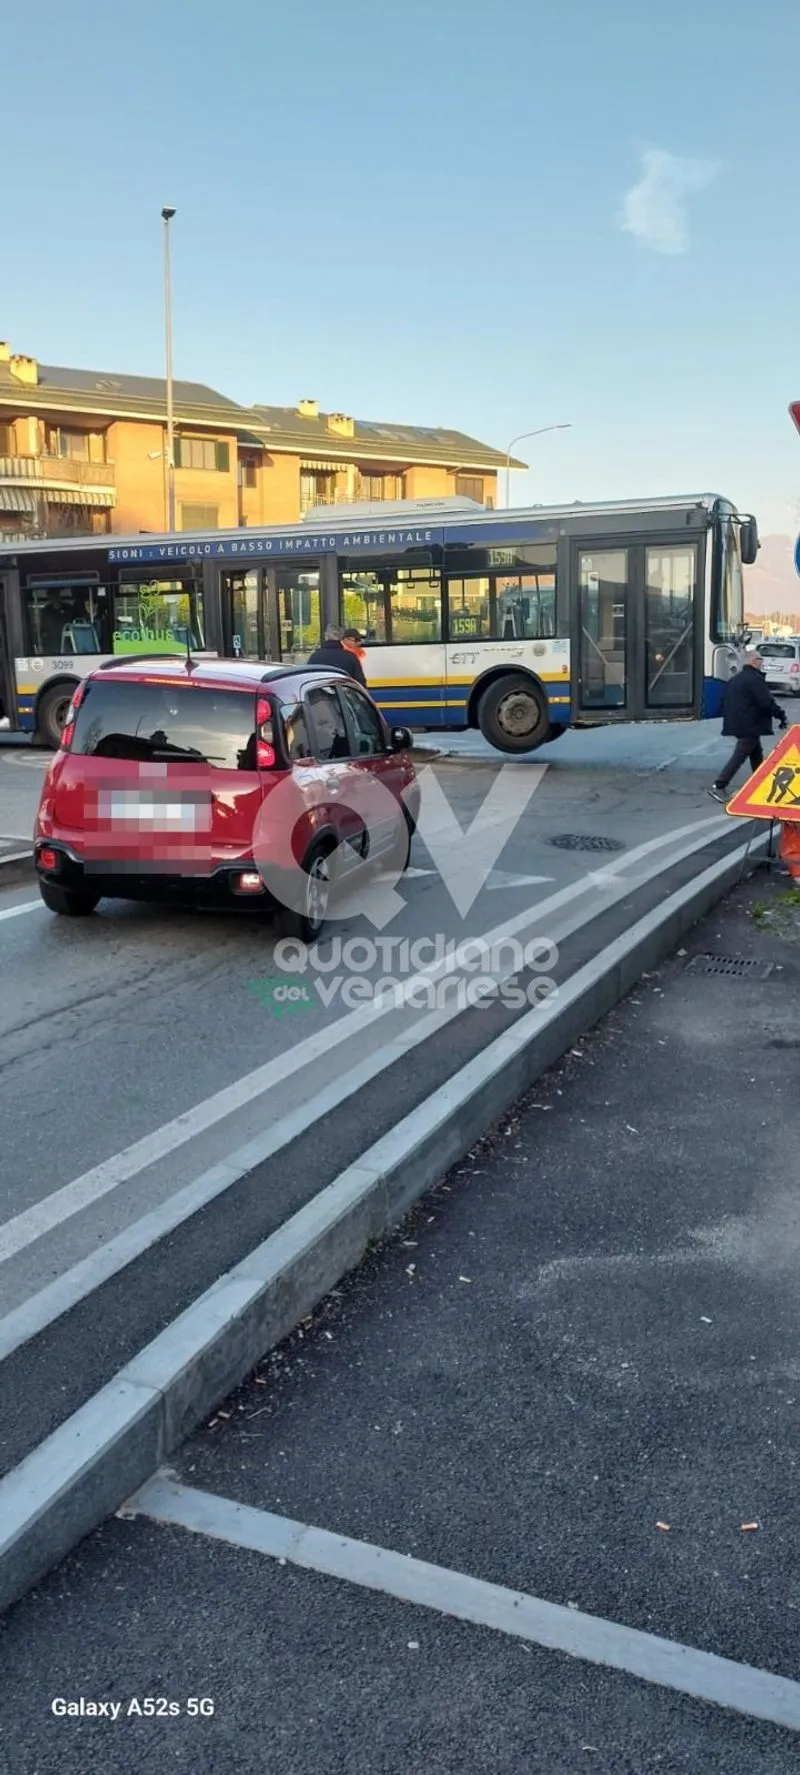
(223, 782)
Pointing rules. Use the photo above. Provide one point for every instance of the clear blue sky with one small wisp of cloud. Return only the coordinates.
(416, 212)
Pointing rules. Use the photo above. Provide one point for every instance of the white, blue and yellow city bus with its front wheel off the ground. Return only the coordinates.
(521, 624)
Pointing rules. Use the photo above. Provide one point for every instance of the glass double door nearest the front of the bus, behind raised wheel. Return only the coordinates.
(638, 629)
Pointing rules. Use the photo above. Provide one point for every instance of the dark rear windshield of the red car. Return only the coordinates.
(168, 722)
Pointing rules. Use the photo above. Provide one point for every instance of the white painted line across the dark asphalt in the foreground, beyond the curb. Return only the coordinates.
(668, 1664)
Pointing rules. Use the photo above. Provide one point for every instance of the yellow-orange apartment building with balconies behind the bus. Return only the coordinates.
(86, 452)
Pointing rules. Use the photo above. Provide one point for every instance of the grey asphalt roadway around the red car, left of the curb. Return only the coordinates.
(139, 1046)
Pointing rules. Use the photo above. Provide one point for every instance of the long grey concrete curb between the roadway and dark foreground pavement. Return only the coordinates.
(95, 1462)
